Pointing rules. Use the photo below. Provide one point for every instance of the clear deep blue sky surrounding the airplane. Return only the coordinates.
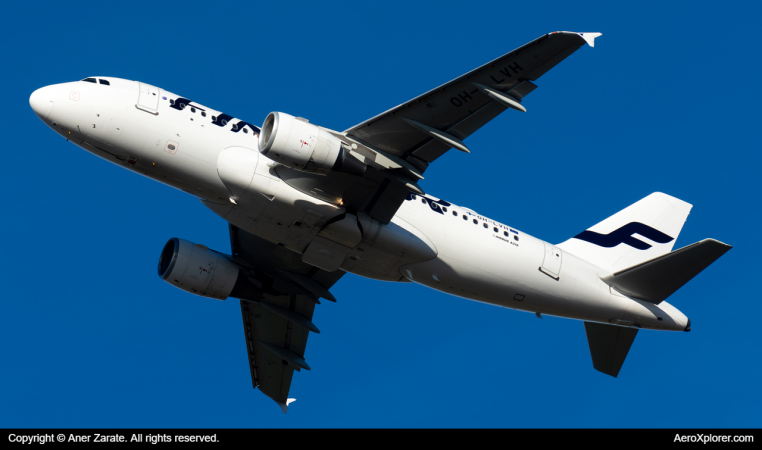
(667, 101)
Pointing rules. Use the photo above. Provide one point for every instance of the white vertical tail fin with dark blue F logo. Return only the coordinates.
(612, 244)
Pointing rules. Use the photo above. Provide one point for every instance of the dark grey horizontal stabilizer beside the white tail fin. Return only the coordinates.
(655, 280)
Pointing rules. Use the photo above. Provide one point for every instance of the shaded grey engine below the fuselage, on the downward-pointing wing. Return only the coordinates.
(196, 269)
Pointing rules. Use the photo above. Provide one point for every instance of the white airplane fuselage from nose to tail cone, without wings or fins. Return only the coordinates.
(440, 245)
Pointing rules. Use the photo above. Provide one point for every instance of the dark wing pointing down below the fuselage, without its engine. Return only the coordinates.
(276, 327)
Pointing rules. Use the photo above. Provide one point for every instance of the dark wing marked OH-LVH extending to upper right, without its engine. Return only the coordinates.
(399, 144)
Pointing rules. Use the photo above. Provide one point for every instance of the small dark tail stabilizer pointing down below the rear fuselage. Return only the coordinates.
(609, 345)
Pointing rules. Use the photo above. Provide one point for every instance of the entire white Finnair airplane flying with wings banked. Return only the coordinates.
(306, 204)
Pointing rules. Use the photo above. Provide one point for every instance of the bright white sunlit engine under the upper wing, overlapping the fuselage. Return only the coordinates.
(300, 145)
